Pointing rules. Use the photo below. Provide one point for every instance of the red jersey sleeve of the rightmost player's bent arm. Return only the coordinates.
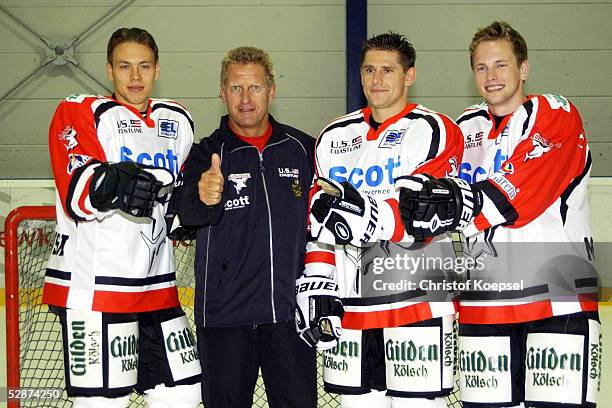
(540, 170)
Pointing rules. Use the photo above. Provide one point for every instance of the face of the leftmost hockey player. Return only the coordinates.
(133, 72)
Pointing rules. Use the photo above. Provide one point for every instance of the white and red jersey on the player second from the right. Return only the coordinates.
(416, 140)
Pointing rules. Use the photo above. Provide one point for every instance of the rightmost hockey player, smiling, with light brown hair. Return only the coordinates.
(528, 158)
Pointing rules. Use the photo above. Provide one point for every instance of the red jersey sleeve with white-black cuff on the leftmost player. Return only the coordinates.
(75, 153)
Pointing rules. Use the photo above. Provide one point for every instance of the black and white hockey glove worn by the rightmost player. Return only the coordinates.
(430, 206)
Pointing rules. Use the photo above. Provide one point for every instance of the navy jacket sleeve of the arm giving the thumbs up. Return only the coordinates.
(186, 199)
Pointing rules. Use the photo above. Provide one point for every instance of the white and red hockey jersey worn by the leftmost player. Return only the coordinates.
(111, 261)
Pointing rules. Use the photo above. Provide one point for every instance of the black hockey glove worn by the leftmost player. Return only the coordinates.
(131, 187)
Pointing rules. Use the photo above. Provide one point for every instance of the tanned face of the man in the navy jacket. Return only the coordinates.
(247, 95)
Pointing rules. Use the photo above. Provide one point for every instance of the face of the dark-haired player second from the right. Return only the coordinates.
(385, 83)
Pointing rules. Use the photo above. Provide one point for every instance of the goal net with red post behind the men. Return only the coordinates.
(34, 338)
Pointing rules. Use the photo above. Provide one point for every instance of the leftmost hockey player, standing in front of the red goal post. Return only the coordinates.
(111, 275)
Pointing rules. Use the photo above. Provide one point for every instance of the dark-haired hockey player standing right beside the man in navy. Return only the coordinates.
(358, 158)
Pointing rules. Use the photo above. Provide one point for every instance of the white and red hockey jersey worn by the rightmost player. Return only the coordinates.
(533, 170)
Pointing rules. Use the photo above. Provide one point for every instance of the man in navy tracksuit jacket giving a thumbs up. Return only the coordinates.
(246, 190)
